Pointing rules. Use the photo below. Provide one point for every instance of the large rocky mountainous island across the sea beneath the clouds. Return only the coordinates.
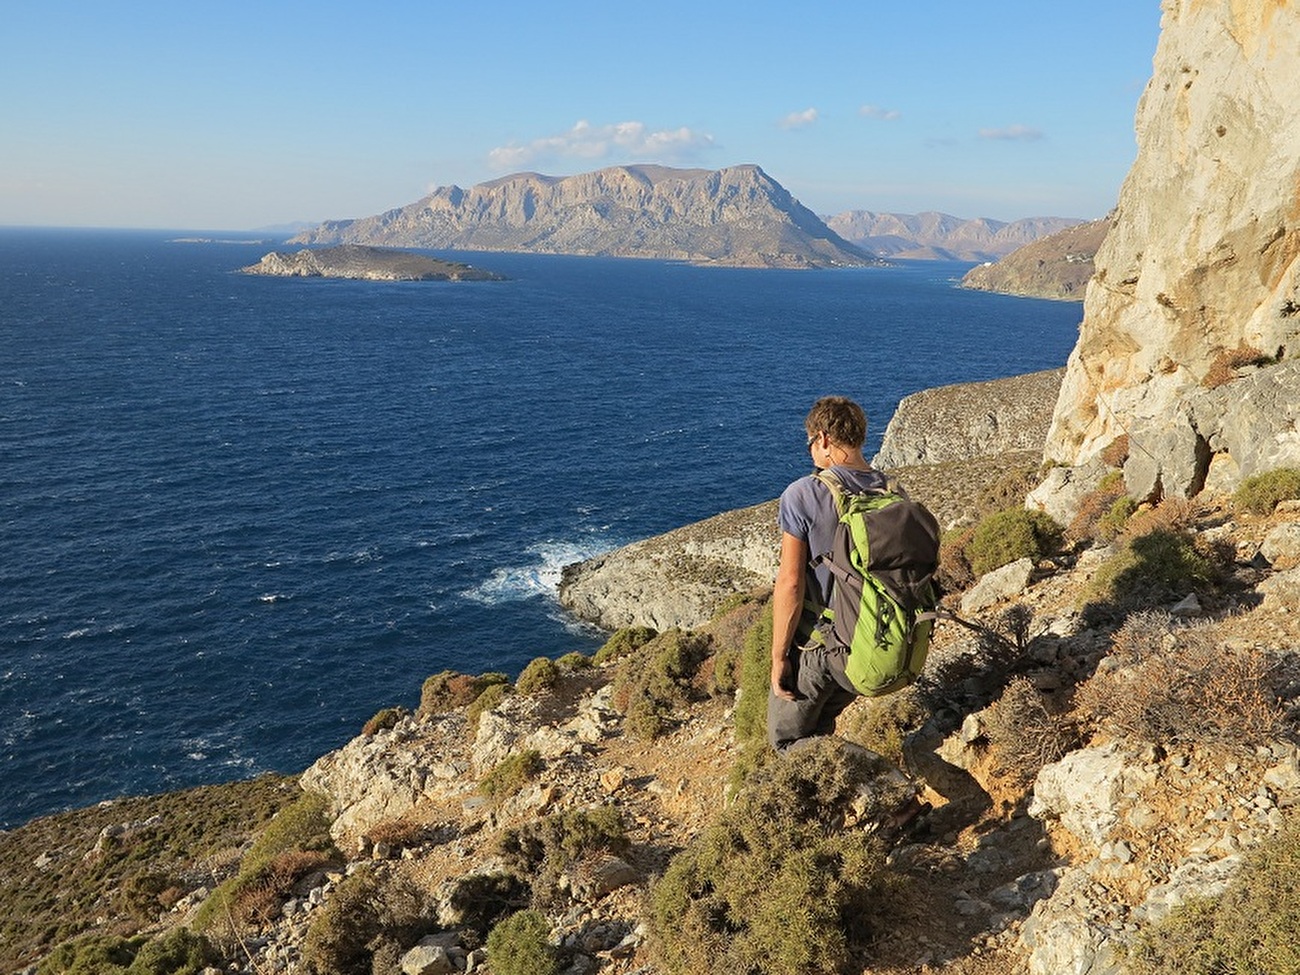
(738, 216)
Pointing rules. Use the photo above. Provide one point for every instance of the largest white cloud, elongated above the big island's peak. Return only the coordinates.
(591, 142)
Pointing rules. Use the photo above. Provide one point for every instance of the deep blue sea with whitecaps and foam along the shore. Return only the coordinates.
(240, 515)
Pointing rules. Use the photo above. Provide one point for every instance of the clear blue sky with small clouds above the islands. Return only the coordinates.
(240, 115)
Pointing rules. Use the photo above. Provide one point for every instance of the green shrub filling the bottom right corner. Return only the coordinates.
(1247, 931)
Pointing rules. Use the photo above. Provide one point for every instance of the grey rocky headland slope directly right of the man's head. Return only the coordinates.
(969, 421)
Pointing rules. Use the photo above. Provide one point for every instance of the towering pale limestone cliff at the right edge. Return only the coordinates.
(1195, 304)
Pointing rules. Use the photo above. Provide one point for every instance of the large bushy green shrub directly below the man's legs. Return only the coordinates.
(777, 883)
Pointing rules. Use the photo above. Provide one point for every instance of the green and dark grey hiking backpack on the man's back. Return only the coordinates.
(883, 595)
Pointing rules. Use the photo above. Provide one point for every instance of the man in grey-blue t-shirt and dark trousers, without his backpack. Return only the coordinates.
(809, 683)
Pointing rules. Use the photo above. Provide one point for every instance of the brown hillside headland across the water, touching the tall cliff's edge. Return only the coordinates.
(1058, 267)
